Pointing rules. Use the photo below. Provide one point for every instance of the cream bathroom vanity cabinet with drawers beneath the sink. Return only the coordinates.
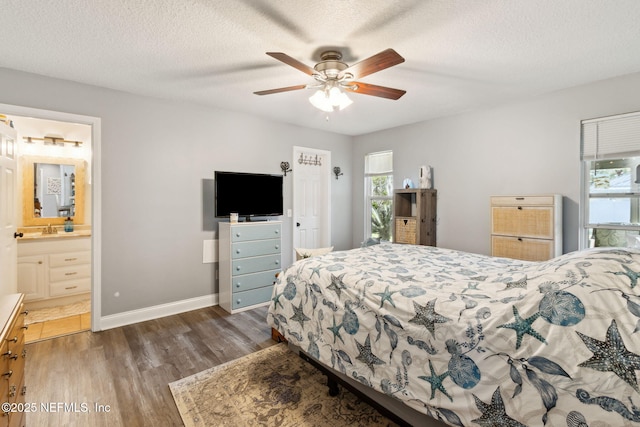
(54, 267)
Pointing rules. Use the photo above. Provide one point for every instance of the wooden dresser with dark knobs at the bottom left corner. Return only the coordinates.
(12, 359)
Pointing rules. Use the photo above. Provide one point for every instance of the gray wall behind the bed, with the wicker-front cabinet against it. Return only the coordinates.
(531, 147)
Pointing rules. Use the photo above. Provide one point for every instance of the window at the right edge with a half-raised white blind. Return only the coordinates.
(611, 181)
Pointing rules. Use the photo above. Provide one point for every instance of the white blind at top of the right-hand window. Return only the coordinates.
(611, 137)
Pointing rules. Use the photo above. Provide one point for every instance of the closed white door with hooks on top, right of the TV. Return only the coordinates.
(311, 198)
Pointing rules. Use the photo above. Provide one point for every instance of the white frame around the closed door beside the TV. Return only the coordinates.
(326, 194)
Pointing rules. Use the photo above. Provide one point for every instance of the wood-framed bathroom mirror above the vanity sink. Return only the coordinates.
(52, 190)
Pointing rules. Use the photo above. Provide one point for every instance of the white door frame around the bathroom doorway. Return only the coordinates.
(95, 196)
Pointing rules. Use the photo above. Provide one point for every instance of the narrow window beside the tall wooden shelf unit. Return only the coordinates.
(378, 173)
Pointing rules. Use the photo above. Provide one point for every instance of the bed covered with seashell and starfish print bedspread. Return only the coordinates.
(474, 340)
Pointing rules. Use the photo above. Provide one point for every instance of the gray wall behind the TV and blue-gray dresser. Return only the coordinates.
(156, 158)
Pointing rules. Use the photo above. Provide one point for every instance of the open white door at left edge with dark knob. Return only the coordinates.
(8, 224)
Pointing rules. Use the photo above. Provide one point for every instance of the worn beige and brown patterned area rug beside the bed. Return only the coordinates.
(272, 387)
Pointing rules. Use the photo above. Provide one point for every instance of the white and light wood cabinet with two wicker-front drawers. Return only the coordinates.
(526, 227)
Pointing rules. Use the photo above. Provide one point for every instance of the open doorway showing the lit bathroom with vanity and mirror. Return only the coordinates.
(55, 269)
